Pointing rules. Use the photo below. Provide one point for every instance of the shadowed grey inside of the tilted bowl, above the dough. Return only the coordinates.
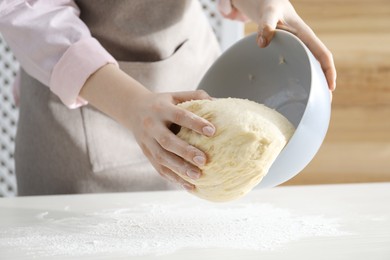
(278, 76)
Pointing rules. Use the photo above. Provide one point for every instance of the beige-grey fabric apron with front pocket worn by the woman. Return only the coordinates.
(167, 45)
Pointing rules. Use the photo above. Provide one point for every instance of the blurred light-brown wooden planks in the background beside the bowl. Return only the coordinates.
(357, 146)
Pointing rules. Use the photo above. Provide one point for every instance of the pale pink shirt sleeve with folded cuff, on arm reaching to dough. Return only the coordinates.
(53, 45)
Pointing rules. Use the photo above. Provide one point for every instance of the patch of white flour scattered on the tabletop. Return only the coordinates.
(164, 228)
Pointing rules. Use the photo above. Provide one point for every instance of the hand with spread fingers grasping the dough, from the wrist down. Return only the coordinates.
(152, 116)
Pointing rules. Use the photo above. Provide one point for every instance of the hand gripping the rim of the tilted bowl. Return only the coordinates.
(271, 14)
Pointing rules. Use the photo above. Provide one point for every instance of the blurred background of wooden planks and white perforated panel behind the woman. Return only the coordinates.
(357, 146)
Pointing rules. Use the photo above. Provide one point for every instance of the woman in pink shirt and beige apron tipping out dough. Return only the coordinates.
(99, 84)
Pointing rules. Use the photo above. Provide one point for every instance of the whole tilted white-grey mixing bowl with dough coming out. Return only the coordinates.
(284, 76)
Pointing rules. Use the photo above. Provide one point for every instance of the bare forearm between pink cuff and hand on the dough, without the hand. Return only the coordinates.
(113, 92)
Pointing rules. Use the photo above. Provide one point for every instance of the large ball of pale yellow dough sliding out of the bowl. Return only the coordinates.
(249, 136)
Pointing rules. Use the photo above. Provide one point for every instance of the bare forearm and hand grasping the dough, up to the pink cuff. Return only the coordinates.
(149, 116)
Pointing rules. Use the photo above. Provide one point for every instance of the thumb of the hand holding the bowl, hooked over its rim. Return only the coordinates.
(267, 25)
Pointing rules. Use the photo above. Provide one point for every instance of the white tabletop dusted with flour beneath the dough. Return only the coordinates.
(349, 221)
